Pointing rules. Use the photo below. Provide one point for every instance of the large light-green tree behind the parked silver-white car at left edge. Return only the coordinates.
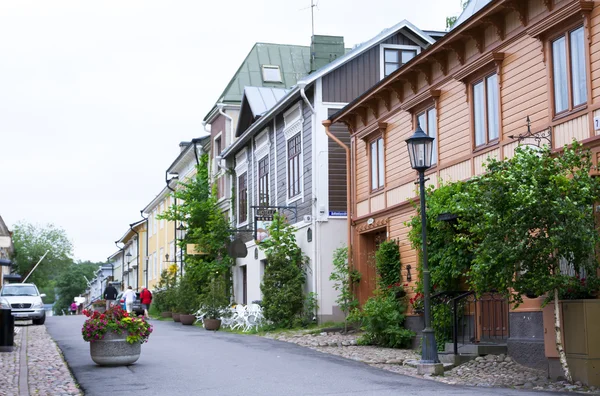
(31, 242)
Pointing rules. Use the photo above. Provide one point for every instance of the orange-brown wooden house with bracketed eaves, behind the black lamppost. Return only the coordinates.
(473, 91)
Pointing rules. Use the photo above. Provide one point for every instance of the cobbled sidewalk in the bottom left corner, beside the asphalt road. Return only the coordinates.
(35, 366)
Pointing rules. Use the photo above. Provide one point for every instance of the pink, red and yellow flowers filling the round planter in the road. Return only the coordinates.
(118, 321)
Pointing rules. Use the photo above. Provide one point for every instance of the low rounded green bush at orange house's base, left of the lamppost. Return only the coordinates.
(382, 318)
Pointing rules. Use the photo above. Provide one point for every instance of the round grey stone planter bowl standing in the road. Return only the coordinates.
(114, 350)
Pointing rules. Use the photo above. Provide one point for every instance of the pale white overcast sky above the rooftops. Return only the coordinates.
(95, 96)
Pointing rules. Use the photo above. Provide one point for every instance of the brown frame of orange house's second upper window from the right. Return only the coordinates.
(483, 77)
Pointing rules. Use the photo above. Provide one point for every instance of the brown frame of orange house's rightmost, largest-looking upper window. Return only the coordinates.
(565, 33)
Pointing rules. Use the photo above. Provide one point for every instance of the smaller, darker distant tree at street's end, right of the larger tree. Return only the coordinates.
(71, 283)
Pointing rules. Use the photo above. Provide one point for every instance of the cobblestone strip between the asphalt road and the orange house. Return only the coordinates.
(487, 371)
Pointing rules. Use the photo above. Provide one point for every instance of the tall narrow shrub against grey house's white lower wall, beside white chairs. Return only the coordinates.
(284, 276)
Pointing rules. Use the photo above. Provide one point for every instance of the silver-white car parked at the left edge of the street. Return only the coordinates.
(24, 301)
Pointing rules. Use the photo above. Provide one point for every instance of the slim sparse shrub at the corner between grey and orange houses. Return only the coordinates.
(344, 278)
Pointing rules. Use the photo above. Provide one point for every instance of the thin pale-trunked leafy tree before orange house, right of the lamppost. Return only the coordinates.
(536, 209)
